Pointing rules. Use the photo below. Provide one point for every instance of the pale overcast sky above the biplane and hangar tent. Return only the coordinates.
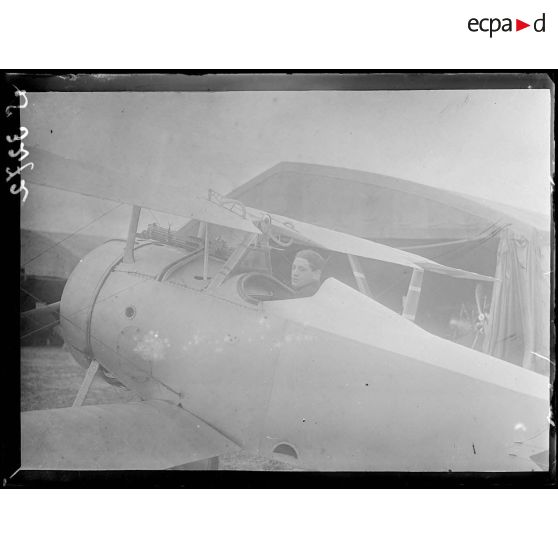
(491, 144)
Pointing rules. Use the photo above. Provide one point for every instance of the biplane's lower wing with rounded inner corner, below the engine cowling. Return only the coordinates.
(128, 436)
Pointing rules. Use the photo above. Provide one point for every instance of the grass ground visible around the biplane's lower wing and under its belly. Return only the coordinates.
(50, 378)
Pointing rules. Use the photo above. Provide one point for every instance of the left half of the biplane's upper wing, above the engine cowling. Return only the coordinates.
(68, 174)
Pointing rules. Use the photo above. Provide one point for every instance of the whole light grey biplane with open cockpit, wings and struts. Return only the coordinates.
(223, 356)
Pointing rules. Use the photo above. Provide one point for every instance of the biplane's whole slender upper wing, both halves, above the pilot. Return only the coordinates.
(68, 174)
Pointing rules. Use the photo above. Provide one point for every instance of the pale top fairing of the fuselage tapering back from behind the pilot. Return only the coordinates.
(342, 311)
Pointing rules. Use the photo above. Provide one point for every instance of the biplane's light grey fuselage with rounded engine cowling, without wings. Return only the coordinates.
(332, 382)
